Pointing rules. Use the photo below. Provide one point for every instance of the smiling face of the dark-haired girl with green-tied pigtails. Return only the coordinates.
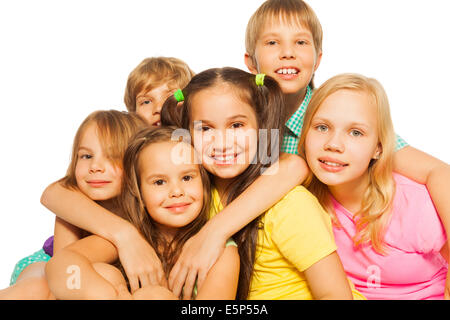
(225, 131)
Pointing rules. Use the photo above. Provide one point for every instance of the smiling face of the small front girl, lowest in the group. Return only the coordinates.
(171, 184)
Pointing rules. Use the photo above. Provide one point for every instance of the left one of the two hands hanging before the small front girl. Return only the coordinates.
(140, 262)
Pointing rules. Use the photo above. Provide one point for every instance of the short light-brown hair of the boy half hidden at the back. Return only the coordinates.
(154, 72)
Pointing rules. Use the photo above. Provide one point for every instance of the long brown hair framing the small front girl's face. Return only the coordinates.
(133, 205)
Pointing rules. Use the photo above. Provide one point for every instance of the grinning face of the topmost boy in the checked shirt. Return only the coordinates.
(285, 52)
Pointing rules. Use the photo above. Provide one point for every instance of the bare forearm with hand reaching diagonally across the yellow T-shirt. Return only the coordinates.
(201, 251)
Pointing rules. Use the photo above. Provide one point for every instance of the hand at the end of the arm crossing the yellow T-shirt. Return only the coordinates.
(198, 255)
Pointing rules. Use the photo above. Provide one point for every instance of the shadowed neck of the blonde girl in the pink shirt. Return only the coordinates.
(351, 194)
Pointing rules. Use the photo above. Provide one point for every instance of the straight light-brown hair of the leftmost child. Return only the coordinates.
(114, 129)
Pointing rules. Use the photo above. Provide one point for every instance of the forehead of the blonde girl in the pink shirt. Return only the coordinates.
(348, 106)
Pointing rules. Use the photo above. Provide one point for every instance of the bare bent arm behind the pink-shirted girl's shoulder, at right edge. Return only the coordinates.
(435, 174)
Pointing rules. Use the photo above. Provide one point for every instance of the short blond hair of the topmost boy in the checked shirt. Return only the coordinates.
(293, 12)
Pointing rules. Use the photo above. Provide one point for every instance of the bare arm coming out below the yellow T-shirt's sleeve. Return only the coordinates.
(327, 280)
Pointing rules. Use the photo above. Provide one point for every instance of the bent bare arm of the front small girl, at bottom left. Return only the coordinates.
(71, 273)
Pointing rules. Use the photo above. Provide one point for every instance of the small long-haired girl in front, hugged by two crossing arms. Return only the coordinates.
(166, 197)
